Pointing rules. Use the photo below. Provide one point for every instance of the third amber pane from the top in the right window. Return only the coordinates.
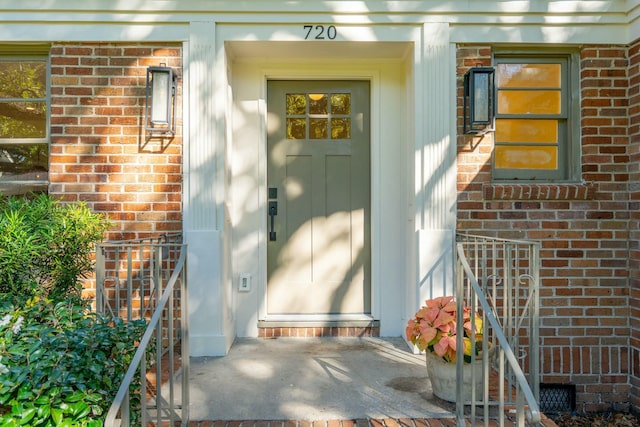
(526, 130)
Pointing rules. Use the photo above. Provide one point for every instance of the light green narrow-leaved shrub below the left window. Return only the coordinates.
(45, 246)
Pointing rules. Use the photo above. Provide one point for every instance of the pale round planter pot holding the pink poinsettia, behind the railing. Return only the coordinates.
(443, 378)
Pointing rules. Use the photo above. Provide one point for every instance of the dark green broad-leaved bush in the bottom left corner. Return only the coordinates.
(61, 365)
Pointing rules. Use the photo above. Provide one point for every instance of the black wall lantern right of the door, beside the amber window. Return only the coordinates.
(479, 99)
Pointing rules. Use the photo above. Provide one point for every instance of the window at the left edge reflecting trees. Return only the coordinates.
(24, 121)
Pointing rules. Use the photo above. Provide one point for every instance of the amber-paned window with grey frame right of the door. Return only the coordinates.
(536, 118)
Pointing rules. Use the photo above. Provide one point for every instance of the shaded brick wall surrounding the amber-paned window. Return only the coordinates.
(583, 228)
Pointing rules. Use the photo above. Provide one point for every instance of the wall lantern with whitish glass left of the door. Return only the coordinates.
(160, 101)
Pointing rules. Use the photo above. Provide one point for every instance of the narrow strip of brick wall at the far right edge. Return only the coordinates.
(634, 209)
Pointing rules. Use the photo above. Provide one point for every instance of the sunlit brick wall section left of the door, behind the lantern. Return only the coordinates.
(99, 151)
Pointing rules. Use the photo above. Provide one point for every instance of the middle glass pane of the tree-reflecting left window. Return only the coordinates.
(23, 120)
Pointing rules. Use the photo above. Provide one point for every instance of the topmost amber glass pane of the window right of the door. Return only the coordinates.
(529, 75)
